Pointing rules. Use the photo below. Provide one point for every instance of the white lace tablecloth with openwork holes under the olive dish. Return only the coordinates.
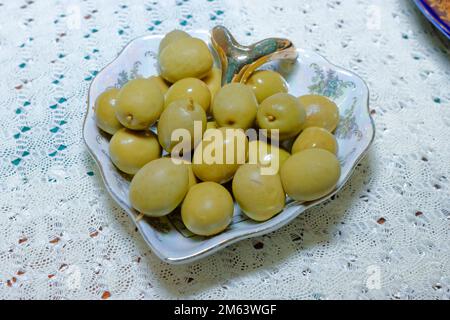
(386, 235)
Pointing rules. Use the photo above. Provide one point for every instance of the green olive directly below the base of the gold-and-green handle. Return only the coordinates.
(235, 106)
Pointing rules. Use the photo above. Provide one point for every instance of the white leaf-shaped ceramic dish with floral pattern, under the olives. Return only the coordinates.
(166, 236)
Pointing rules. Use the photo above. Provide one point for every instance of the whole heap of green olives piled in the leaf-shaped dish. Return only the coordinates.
(187, 90)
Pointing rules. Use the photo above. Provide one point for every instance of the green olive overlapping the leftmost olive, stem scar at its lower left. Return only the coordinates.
(139, 104)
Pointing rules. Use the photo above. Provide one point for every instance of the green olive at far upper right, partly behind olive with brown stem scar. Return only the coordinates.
(320, 112)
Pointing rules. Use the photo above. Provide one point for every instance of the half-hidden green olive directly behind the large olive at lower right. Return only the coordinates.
(315, 137)
